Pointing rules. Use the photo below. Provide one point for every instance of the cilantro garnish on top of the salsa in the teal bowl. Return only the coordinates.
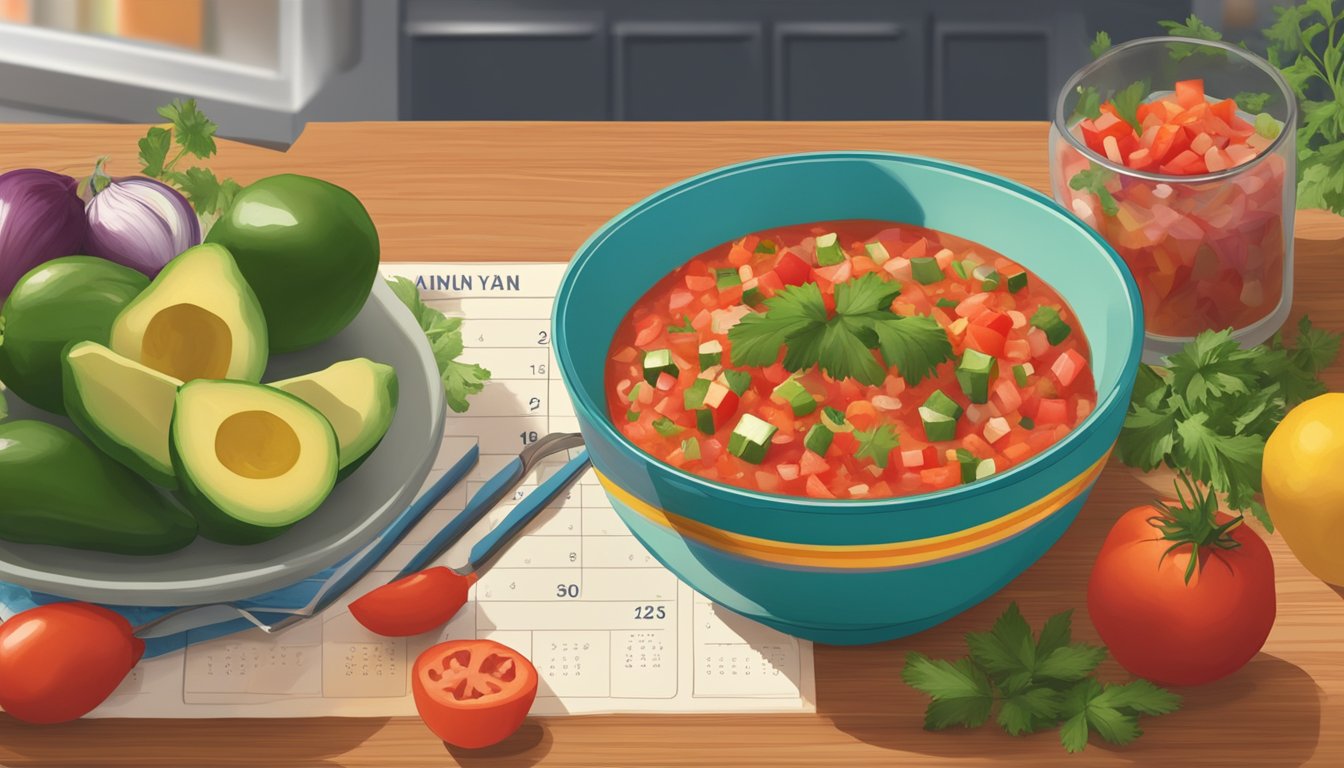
(796, 319)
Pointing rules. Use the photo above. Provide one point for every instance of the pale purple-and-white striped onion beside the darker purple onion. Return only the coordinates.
(140, 224)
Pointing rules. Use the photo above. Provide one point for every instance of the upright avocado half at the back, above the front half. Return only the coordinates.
(198, 319)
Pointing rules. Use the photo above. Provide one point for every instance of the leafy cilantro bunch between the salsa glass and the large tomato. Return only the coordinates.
(1210, 410)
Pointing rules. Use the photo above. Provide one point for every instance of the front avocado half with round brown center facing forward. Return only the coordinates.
(251, 461)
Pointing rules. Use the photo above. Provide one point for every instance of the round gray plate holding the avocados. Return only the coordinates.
(353, 516)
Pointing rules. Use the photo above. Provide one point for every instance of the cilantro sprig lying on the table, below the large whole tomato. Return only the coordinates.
(1034, 683)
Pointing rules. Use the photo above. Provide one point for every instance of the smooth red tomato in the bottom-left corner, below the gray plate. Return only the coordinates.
(61, 661)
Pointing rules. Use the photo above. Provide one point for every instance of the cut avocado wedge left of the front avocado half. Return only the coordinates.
(123, 407)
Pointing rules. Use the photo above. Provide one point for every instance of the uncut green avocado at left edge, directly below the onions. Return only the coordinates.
(72, 299)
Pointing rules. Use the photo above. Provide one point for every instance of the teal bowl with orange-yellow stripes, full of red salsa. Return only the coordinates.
(849, 395)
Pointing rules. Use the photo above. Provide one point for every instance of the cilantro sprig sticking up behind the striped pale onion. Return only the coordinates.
(194, 135)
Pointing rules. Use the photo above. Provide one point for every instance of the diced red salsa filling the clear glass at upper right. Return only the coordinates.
(1206, 255)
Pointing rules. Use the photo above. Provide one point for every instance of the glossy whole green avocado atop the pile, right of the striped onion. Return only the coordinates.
(310, 252)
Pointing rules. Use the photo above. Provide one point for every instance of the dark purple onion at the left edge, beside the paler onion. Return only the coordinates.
(41, 219)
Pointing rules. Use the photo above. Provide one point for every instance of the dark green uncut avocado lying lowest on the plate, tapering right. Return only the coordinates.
(58, 490)
